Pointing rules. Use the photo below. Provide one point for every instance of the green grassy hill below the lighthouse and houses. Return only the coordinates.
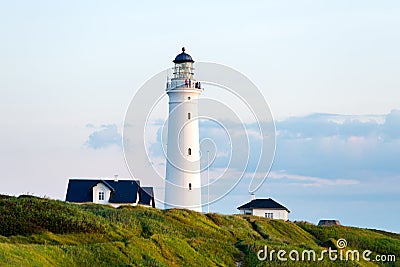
(43, 232)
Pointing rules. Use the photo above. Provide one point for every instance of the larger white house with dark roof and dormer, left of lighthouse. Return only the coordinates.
(111, 192)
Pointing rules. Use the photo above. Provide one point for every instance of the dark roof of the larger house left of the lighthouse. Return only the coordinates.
(122, 191)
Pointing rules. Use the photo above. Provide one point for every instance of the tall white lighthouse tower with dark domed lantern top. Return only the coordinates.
(183, 183)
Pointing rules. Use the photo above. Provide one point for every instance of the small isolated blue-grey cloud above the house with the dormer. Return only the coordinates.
(105, 136)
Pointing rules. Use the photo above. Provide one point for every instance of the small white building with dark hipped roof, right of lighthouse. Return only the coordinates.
(267, 208)
